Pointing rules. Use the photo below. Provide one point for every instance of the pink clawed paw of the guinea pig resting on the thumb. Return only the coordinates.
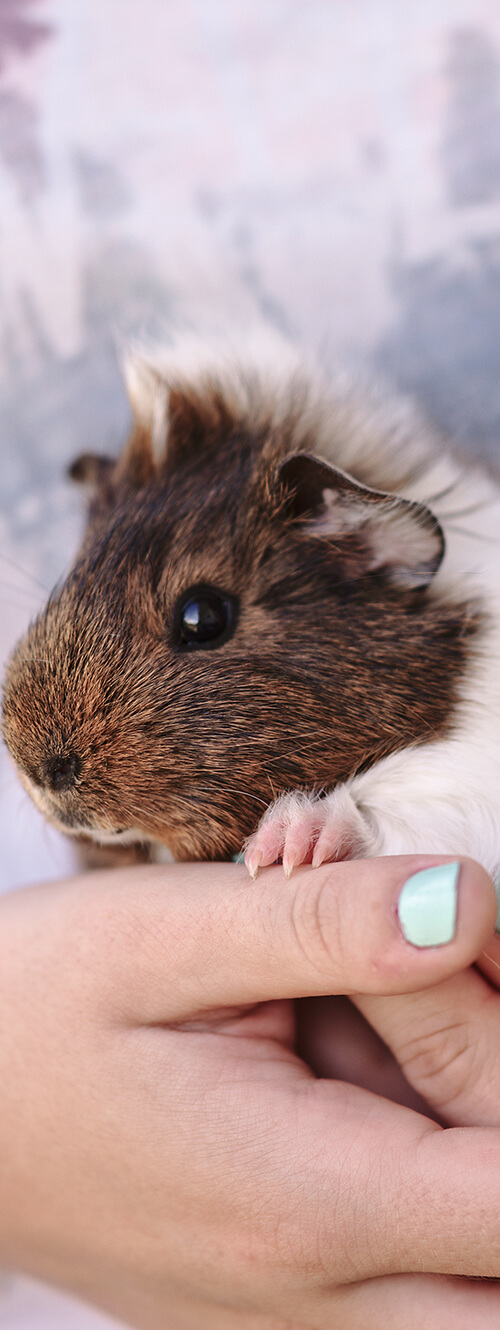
(303, 828)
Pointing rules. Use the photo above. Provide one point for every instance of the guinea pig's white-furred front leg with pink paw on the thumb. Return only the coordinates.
(438, 799)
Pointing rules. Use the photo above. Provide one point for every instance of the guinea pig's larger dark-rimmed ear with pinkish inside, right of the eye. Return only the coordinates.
(396, 535)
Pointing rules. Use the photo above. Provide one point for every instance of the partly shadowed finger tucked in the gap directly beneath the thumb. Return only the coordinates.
(438, 1037)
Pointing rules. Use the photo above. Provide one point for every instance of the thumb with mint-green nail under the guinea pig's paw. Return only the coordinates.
(171, 942)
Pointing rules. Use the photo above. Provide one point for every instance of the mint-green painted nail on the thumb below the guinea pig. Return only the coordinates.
(428, 906)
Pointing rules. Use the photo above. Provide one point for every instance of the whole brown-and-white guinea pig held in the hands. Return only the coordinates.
(281, 628)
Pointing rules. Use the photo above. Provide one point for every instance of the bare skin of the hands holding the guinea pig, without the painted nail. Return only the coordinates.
(166, 1152)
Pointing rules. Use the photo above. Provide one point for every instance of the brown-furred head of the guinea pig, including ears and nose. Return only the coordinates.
(243, 619)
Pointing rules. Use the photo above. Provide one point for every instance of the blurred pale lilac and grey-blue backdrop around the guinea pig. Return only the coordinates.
(332, 167)
